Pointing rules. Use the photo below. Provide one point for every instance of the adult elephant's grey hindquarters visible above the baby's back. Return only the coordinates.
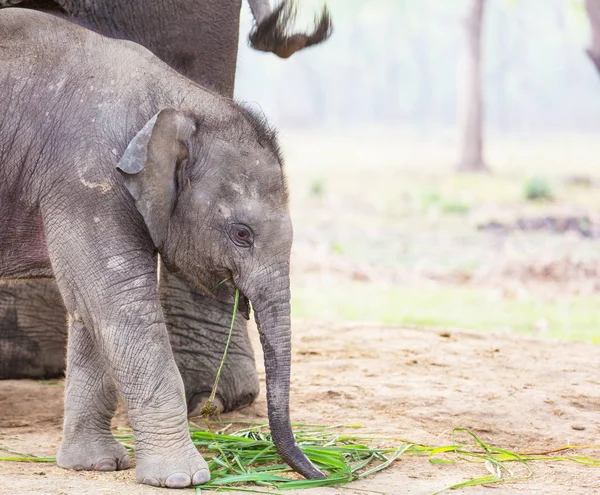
(197, 38)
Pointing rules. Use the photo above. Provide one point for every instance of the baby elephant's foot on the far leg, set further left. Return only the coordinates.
(108, 455)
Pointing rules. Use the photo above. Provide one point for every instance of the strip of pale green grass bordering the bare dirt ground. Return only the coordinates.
(573, 317)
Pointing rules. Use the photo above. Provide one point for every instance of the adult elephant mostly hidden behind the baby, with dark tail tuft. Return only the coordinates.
(199, 38)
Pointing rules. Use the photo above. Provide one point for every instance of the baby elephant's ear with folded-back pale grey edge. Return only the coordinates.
(150, 167)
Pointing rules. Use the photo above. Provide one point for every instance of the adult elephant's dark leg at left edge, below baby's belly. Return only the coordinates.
(33, 330)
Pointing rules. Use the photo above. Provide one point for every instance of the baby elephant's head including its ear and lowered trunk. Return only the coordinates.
(213, 196)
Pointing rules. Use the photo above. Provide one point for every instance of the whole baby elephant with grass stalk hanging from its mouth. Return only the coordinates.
(108, 156)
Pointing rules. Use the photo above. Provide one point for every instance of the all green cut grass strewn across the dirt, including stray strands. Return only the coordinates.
(246, 459)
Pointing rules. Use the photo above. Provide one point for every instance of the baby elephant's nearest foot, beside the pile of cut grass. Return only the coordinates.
(178, 472)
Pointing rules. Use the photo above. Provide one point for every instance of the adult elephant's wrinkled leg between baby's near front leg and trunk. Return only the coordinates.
(198, 329)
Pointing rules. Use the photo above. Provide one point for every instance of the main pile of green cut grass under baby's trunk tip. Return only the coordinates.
(247, 457)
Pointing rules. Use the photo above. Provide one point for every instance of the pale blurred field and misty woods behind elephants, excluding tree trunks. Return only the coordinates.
(386, 230)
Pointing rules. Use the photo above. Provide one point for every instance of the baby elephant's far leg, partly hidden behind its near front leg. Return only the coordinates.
(90, 403)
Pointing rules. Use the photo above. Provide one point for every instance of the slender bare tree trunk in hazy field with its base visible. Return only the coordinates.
(471, 159)
